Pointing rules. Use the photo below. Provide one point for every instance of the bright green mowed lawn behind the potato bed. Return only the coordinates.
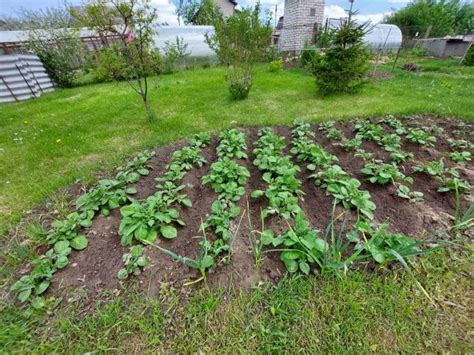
(71, 134)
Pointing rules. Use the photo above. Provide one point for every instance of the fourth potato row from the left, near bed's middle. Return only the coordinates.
(300, 245)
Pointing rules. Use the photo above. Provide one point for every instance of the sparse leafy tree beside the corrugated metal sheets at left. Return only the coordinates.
(55, 42)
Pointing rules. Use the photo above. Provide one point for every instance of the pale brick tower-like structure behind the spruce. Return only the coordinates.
(298, 24)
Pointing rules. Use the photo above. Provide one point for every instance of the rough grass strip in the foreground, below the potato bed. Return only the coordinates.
(381, 312)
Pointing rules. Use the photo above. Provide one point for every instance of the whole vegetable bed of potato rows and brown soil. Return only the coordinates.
(249, 204)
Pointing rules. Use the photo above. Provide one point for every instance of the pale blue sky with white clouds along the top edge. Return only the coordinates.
(369, 9)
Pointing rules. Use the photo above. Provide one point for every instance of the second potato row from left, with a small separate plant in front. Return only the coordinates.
(141, 220)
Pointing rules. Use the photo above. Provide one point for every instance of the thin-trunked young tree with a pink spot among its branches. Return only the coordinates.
(131, 22)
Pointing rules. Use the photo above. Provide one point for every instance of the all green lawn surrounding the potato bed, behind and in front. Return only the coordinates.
(48, 143)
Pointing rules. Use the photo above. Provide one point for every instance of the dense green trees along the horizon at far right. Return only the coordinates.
(444, 17)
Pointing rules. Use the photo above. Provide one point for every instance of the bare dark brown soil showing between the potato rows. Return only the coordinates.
(94, 270)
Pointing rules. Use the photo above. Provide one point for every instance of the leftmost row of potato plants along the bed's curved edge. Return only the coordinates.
(65, 235)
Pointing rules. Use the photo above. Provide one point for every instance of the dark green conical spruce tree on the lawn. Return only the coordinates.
(344, 65)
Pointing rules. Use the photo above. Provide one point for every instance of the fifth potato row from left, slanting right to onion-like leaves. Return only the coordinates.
(371, 241)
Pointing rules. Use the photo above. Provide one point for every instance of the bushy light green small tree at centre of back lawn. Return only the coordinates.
(239, 42)
